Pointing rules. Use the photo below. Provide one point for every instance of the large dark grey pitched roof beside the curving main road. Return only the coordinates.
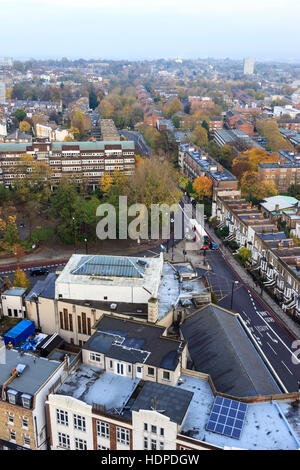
(219, 346)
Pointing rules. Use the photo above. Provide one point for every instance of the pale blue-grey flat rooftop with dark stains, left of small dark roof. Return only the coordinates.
(93, 385)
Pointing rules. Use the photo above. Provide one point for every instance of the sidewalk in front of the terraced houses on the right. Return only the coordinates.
(286, 321)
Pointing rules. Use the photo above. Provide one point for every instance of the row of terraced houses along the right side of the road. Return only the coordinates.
(273, 255)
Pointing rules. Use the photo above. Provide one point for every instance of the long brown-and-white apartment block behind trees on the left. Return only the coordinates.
(81, 160)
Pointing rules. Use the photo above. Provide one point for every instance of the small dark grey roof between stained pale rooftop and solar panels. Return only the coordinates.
(170, 401)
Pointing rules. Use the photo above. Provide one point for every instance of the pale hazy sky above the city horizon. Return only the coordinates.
(137, 29)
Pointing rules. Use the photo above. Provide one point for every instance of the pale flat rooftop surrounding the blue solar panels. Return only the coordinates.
(264, 428)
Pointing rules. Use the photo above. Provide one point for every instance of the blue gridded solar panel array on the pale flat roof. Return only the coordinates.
(227, 417)
